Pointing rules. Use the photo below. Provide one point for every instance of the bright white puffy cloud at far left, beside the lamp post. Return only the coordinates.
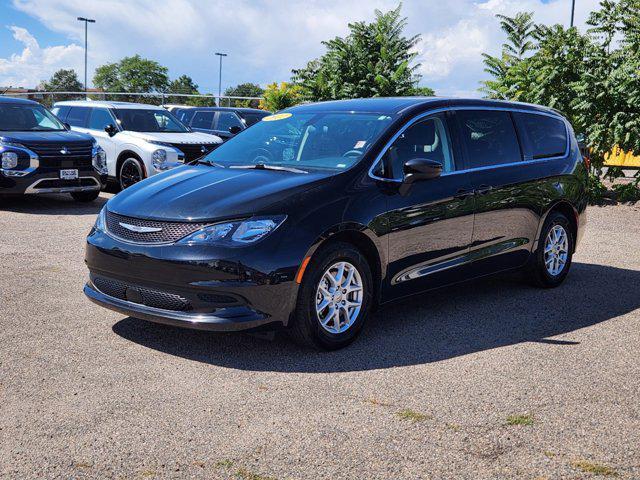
(34, 64)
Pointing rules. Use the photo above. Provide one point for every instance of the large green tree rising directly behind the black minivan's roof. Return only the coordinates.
(374, 60)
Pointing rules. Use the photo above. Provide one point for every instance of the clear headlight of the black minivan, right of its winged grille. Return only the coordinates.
(238, 233)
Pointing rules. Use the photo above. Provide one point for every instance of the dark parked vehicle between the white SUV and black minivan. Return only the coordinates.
(221, 121)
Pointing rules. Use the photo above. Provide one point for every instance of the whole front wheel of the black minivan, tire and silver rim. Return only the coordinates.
(339, 331)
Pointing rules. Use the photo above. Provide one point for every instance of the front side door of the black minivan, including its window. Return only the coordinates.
(431, 224)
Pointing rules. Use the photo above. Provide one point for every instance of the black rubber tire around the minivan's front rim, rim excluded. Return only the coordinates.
(307, 323)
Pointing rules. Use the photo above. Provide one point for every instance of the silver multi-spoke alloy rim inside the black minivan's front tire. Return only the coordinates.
(339, 297)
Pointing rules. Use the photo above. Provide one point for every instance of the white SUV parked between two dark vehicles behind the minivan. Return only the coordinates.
(139, 140)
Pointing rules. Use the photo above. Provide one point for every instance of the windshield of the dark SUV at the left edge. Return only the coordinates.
(28, 118)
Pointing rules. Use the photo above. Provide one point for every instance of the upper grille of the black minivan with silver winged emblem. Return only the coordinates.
(169, 231)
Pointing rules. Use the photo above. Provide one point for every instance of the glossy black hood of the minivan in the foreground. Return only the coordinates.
(203, 193)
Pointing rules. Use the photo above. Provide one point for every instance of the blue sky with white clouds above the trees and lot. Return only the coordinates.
(265, 39)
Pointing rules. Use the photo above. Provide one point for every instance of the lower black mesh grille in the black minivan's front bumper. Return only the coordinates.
(141, 295)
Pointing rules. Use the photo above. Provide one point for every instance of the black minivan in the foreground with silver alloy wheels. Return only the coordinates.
(315, 215)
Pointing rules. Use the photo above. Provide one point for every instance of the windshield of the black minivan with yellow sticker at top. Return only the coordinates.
(333, 141)
